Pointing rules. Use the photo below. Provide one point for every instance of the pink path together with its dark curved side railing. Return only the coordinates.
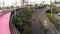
(6, 26)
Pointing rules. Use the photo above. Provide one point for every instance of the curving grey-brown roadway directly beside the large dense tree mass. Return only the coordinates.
(36, 25)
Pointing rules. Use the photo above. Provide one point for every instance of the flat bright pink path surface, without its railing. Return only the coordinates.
(4, 23)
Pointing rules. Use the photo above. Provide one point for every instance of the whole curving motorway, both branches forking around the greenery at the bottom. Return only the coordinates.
(38, 19)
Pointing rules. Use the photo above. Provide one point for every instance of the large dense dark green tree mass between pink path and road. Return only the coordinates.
(22, 21)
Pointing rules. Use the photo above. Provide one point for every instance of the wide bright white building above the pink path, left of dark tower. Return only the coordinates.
(10, 3)
